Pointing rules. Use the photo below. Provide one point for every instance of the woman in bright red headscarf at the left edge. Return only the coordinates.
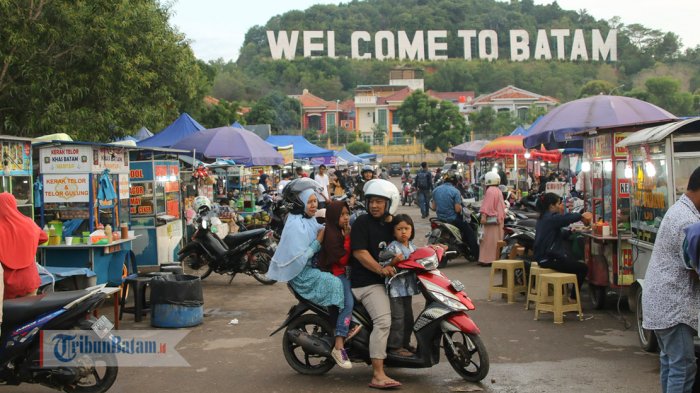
(19, 239)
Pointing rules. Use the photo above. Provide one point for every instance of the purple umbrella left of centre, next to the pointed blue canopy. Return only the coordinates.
(240, 145)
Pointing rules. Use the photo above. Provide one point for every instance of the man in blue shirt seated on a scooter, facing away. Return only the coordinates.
(447, 202)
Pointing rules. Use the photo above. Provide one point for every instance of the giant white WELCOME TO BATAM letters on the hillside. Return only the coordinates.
(432, 45)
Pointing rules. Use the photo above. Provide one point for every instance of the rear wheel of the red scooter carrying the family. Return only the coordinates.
(297, 358)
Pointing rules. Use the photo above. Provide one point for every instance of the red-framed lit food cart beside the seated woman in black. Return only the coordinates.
(607, 195)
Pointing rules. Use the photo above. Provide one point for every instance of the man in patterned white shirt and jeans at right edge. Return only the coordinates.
(671, 297)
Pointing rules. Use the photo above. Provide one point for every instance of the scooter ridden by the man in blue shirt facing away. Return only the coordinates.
(442, 232)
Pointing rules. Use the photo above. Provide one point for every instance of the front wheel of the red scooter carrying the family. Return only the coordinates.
(471, 361)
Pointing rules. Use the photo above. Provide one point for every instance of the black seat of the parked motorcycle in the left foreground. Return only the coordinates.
(16, 311)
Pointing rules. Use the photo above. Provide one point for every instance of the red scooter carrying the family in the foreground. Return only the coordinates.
(444, 322)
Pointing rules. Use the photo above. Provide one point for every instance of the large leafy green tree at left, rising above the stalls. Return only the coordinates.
(96, 70)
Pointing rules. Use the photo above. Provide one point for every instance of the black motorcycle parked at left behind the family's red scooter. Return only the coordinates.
(248, 252)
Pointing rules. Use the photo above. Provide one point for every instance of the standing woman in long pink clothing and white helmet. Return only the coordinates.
(492, 218)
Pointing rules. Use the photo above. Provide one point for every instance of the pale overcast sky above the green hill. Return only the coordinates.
(217, 27)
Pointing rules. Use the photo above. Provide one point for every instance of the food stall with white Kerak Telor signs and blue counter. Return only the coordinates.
(84, 186)
